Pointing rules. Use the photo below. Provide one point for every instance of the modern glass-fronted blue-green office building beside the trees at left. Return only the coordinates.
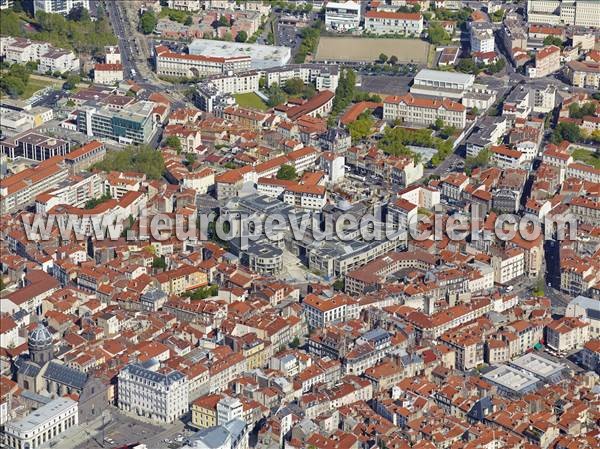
(135, 124)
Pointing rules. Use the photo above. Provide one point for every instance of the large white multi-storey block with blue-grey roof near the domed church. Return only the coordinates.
(161, 395)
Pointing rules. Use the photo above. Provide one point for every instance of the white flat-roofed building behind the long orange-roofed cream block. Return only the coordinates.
(442, 84)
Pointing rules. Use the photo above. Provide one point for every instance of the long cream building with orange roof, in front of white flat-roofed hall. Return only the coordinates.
(424, 111)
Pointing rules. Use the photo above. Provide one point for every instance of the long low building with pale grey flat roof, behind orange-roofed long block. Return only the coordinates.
(261, 56)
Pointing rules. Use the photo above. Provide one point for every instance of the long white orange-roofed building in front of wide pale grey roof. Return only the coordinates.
(182, 65)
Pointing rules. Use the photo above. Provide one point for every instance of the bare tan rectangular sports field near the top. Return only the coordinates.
(369, 49)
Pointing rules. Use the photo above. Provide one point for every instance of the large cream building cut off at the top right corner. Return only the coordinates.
(582, 13)
